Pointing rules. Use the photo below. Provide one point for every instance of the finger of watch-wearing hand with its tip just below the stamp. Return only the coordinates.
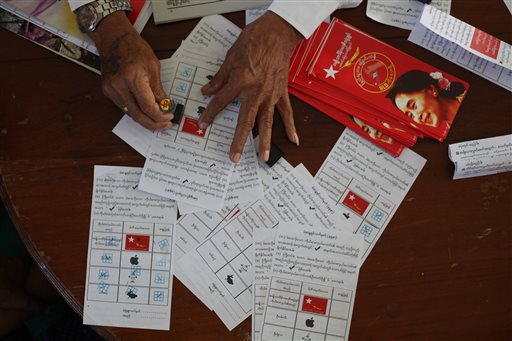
(146, 99)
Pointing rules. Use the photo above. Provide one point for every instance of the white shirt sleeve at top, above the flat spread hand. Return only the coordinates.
(305, 16)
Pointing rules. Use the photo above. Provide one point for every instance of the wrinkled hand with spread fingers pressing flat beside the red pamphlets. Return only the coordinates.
(256, 71)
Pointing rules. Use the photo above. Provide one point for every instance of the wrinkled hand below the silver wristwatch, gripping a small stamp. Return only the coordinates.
(130, 71)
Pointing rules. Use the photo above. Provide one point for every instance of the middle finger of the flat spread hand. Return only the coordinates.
(246, 118)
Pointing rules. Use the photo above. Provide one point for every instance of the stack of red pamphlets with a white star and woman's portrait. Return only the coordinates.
(376, 90)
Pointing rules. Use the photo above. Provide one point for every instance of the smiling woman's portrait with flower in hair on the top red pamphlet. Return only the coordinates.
(429, 99)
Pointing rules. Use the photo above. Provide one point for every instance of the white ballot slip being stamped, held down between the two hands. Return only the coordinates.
(190, 164)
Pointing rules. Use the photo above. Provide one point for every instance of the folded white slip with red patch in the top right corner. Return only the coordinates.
(482, 56)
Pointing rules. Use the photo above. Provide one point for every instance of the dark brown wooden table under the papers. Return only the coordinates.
(441, 270)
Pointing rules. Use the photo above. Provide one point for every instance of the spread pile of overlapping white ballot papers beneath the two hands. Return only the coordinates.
(274, 242)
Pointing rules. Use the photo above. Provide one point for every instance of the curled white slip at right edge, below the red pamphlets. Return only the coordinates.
(481, 157)
